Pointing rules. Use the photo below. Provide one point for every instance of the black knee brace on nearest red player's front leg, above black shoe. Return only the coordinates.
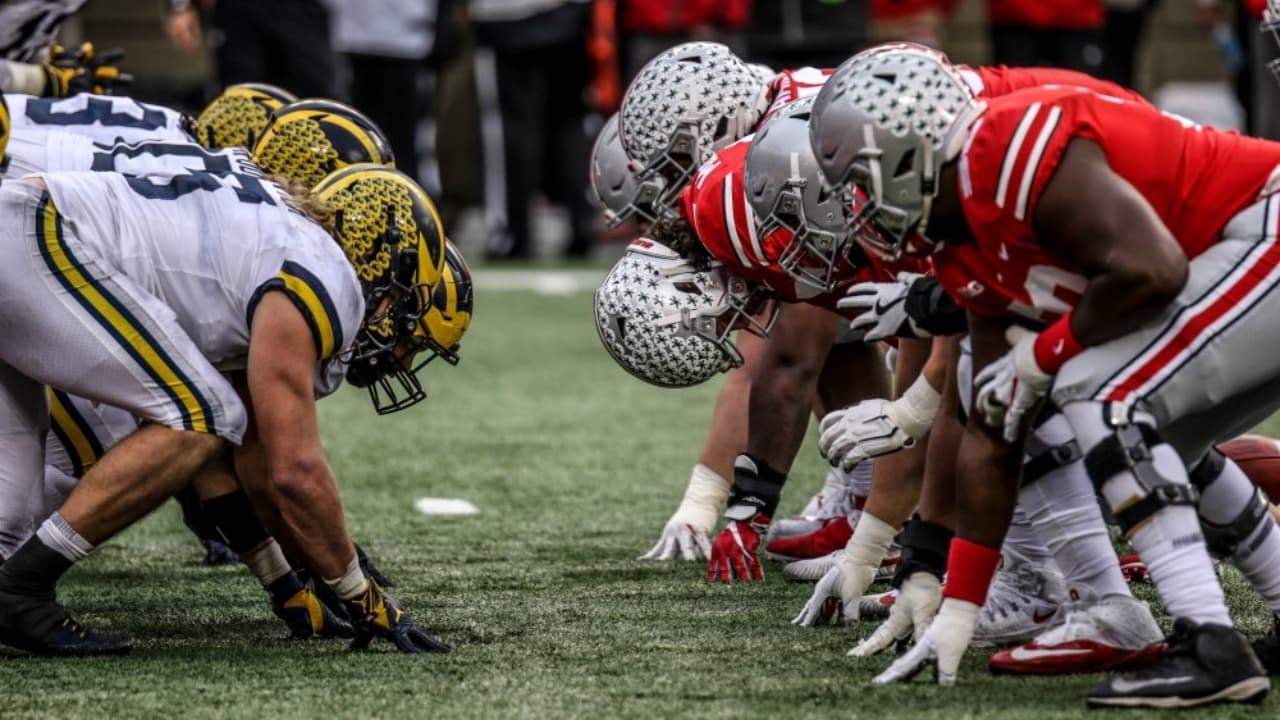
(1128, 450)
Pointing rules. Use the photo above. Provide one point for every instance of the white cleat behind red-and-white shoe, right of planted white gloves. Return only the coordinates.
(1025, 601)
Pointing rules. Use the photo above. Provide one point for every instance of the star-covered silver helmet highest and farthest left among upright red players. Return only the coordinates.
(683, 107)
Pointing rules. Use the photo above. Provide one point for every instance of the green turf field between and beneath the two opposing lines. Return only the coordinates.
(575, 467)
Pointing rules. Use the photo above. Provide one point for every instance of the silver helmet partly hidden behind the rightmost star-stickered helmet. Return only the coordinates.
(787, 192)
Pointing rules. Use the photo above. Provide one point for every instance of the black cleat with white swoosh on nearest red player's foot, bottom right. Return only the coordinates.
(1205, 664)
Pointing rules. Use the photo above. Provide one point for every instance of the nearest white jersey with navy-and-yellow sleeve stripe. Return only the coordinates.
(209, 248)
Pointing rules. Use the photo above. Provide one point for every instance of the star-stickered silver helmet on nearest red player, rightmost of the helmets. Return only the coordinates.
(886, 122)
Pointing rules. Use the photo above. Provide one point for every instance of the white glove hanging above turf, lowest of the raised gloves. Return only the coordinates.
(879, 427)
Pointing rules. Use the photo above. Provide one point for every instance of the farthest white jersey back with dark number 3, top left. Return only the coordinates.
(100, 119)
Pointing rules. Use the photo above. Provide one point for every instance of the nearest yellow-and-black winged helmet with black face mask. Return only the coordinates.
(392, 235)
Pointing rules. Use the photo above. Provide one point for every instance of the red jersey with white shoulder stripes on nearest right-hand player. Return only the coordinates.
(1196, 180)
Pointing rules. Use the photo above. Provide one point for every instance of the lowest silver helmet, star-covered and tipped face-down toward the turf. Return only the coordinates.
(670, 322)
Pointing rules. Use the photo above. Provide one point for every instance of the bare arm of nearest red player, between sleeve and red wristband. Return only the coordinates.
(1094, 218)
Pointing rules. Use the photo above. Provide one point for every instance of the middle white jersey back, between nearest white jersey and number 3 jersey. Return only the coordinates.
(56, 152)
